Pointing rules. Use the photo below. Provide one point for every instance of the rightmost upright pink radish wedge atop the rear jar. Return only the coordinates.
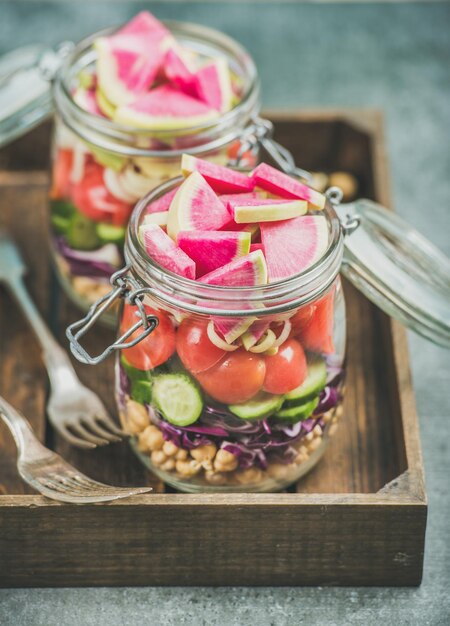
(213, 85)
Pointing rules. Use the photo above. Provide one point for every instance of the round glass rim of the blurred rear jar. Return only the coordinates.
(114, 137)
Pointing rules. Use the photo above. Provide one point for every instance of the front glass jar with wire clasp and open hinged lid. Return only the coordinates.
(209, 416)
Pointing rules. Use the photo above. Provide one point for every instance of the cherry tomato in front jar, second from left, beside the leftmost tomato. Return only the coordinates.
(194, 348)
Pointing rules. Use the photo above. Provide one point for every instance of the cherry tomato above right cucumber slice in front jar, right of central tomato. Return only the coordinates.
(287, 369)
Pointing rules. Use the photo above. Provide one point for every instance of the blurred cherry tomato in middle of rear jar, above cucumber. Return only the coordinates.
(93, 199)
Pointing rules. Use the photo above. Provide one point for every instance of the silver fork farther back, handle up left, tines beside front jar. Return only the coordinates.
(73, 409)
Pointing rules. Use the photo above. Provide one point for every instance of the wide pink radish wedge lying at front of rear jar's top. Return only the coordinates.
(165, 108)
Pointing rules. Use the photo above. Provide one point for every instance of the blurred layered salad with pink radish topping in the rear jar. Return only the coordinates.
(141, 79)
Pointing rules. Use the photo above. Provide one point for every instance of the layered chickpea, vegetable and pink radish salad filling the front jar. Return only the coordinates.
(234, 403)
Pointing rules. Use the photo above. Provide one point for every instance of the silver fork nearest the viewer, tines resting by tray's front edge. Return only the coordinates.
(49, 474)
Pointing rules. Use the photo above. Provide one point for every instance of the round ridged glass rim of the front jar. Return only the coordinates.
(277, 297)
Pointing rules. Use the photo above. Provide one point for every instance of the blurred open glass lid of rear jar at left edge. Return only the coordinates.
(25, 88)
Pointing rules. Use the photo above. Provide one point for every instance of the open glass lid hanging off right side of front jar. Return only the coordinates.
(395, 267)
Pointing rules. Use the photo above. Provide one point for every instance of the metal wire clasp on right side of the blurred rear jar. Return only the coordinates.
(260, 131)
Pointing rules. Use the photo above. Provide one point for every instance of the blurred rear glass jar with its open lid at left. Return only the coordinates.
(104, 167)
